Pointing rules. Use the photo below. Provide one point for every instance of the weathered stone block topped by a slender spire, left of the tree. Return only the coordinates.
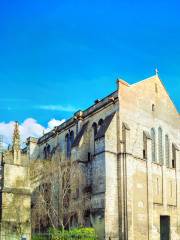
(15, 194)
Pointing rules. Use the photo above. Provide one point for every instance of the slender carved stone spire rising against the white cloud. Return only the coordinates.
(16, 143)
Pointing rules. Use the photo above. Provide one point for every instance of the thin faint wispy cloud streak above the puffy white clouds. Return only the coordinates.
(67, 108)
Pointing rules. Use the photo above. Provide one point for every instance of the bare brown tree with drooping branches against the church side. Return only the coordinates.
(59, 199)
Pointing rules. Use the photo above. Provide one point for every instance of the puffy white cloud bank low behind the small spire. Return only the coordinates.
(30, 127)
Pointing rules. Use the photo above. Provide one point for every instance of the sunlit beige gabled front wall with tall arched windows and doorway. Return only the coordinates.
(152, 188)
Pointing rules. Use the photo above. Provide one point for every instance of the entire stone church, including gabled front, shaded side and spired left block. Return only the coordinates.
(128, 146)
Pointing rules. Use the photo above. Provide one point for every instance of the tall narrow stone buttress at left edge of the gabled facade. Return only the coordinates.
(125, 187)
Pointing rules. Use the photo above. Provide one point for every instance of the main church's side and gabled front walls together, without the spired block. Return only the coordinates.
(129, 191)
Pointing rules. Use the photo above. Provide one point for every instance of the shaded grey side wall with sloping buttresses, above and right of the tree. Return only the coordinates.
(90, 153)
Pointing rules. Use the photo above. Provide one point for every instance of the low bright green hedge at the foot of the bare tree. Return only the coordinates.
(76, 233)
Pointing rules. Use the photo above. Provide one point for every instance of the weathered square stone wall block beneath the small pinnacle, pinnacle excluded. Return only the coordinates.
(16, 202)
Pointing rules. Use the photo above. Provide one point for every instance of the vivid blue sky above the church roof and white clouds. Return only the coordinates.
(59, 56)
